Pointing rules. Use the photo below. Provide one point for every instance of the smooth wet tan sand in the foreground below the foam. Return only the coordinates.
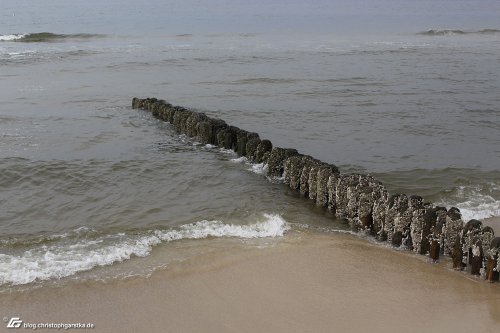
(314, 283)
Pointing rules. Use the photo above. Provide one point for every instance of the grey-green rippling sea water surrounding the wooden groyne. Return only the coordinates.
(91, 189)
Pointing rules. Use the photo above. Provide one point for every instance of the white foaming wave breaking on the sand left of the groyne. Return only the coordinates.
(83, 249)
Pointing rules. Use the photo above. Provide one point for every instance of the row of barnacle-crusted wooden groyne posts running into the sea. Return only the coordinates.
(404, 221)
